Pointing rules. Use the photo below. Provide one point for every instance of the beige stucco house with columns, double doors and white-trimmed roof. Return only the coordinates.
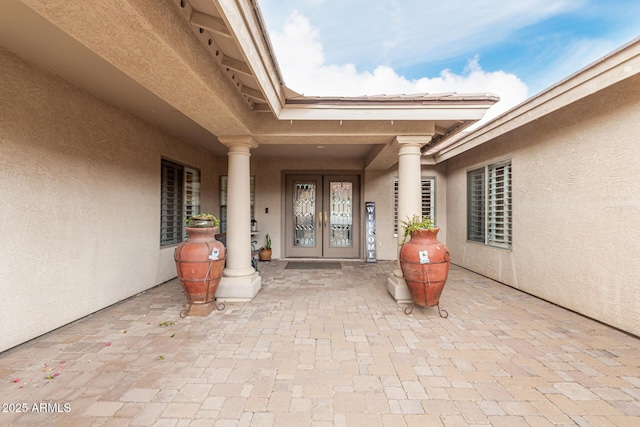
(120, 117)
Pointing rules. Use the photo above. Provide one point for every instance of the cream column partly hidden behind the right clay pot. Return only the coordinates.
(409, 201)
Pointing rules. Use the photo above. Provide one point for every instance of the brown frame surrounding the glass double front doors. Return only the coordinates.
(286, 233)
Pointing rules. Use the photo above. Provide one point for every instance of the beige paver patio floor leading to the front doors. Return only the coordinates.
(325, 348)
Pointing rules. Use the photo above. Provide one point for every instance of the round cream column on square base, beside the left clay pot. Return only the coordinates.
(240, 281)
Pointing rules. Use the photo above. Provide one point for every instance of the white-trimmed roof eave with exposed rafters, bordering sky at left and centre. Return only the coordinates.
(283, 116)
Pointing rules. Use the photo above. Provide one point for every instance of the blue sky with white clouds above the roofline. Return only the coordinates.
(511, 48)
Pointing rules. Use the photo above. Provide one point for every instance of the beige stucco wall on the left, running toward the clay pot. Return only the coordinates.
(80, 210)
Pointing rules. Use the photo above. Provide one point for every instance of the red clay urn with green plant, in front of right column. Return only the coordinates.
(424, 262)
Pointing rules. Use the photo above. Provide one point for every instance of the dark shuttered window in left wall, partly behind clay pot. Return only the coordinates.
(180, 198)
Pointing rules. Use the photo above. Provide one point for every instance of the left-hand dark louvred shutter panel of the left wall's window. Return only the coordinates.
(171, 203)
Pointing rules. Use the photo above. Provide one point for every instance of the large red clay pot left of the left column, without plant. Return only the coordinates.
(199, 262)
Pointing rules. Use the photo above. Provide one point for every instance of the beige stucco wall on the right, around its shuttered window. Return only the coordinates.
(576, 207)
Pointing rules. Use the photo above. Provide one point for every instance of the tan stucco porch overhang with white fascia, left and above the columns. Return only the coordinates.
(201, 68)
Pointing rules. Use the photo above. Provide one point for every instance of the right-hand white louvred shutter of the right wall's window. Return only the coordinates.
(499, 205)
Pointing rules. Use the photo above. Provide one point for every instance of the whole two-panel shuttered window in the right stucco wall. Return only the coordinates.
(489, 205)
